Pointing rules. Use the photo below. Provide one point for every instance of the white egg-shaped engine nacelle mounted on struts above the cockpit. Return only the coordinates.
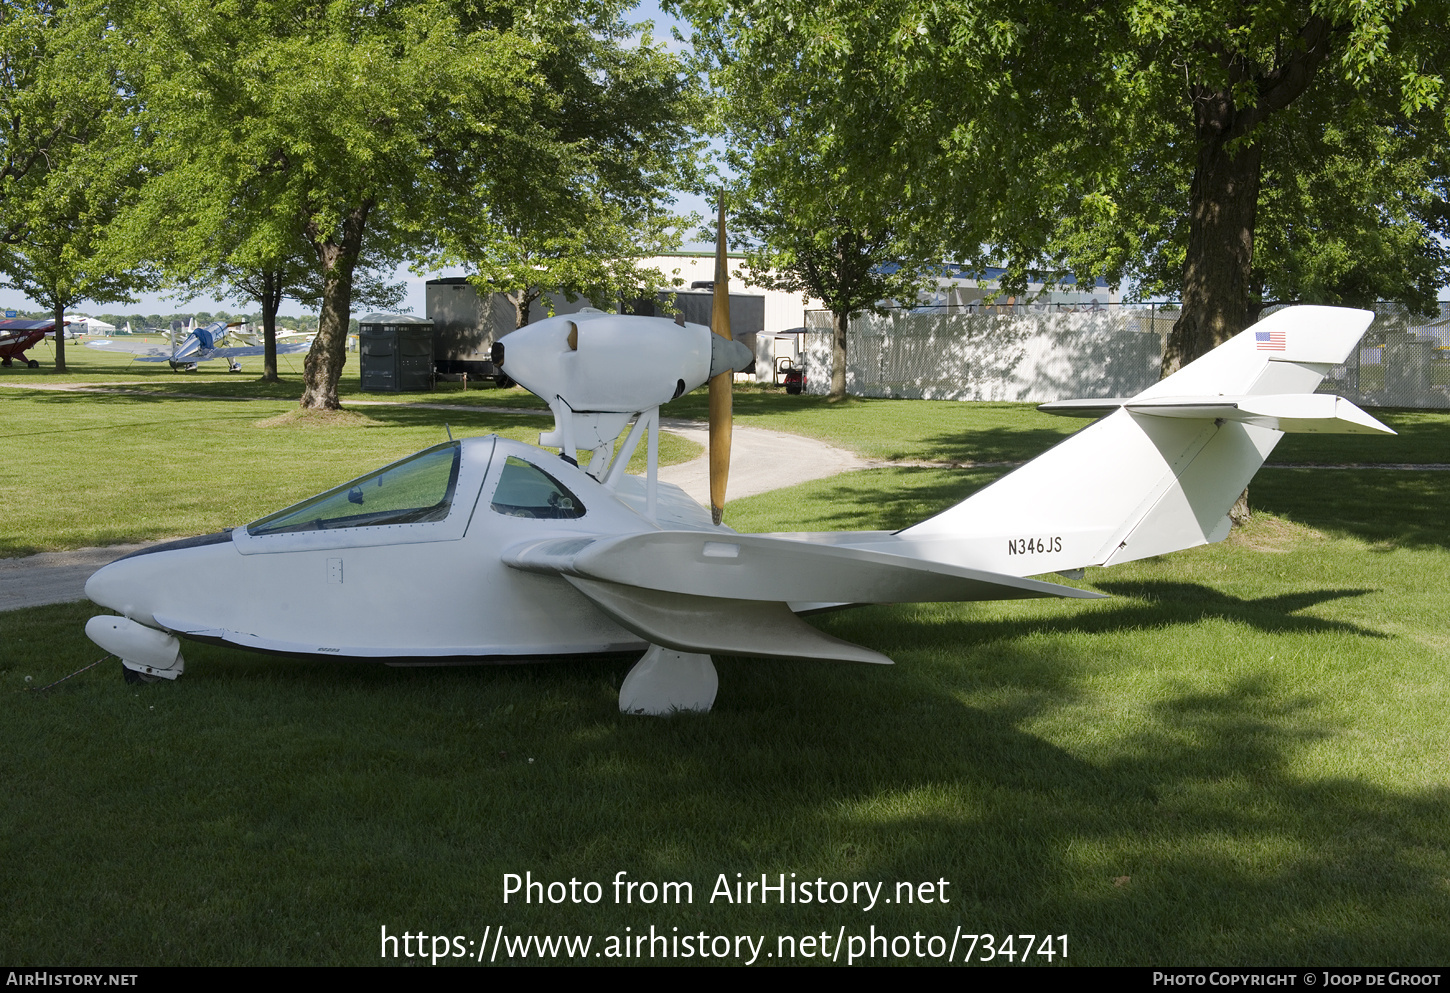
(614, 363)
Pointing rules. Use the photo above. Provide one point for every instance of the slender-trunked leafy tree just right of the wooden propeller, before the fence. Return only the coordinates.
(816, 214)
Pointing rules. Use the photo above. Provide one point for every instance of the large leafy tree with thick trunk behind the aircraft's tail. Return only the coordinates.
(1133, 138)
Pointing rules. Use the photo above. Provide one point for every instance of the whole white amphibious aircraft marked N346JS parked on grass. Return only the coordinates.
(494, 552)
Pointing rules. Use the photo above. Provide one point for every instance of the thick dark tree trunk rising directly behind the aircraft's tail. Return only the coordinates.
(1217, 270)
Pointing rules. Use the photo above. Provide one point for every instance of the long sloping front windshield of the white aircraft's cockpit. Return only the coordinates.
(414, 491)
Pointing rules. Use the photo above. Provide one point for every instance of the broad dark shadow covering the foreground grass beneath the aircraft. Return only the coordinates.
(298, 807)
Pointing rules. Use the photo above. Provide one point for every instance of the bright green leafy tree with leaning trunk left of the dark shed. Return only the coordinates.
(355, 125)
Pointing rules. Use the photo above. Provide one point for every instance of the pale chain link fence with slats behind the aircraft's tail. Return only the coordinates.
(1036, 354)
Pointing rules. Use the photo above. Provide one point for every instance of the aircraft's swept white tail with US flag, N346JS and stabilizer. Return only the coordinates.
(1164, 469)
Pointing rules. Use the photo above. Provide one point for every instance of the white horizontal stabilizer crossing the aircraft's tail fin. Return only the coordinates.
(1287, 412)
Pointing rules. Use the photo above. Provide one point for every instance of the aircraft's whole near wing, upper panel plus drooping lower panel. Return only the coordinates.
(716, 594)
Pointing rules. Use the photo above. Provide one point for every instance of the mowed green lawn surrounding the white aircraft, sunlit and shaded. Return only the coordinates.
(1238, 759)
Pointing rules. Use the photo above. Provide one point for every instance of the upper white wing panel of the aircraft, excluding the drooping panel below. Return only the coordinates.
(766, 568)
